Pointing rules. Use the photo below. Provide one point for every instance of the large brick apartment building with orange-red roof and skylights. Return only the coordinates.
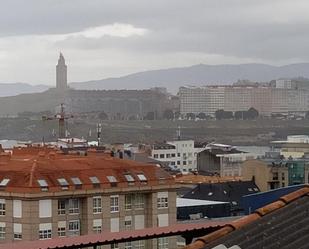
(45, 194)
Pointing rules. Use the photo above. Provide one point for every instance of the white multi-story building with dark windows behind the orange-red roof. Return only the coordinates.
(178, 154)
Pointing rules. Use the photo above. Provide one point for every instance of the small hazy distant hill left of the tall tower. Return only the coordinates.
(13, 89)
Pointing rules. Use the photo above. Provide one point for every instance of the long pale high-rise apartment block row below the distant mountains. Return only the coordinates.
(266, 99)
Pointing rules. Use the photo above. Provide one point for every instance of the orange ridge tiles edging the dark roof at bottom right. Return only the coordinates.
(200, 242)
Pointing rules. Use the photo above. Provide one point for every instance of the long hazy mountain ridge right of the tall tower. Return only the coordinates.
(201, 74)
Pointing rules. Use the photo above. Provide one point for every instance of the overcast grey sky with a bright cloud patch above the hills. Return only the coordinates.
(101, 39)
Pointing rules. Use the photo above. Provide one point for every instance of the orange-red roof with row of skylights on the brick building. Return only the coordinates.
(25, 166)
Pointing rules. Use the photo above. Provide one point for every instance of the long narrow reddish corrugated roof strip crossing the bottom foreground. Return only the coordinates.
(108, 237)
